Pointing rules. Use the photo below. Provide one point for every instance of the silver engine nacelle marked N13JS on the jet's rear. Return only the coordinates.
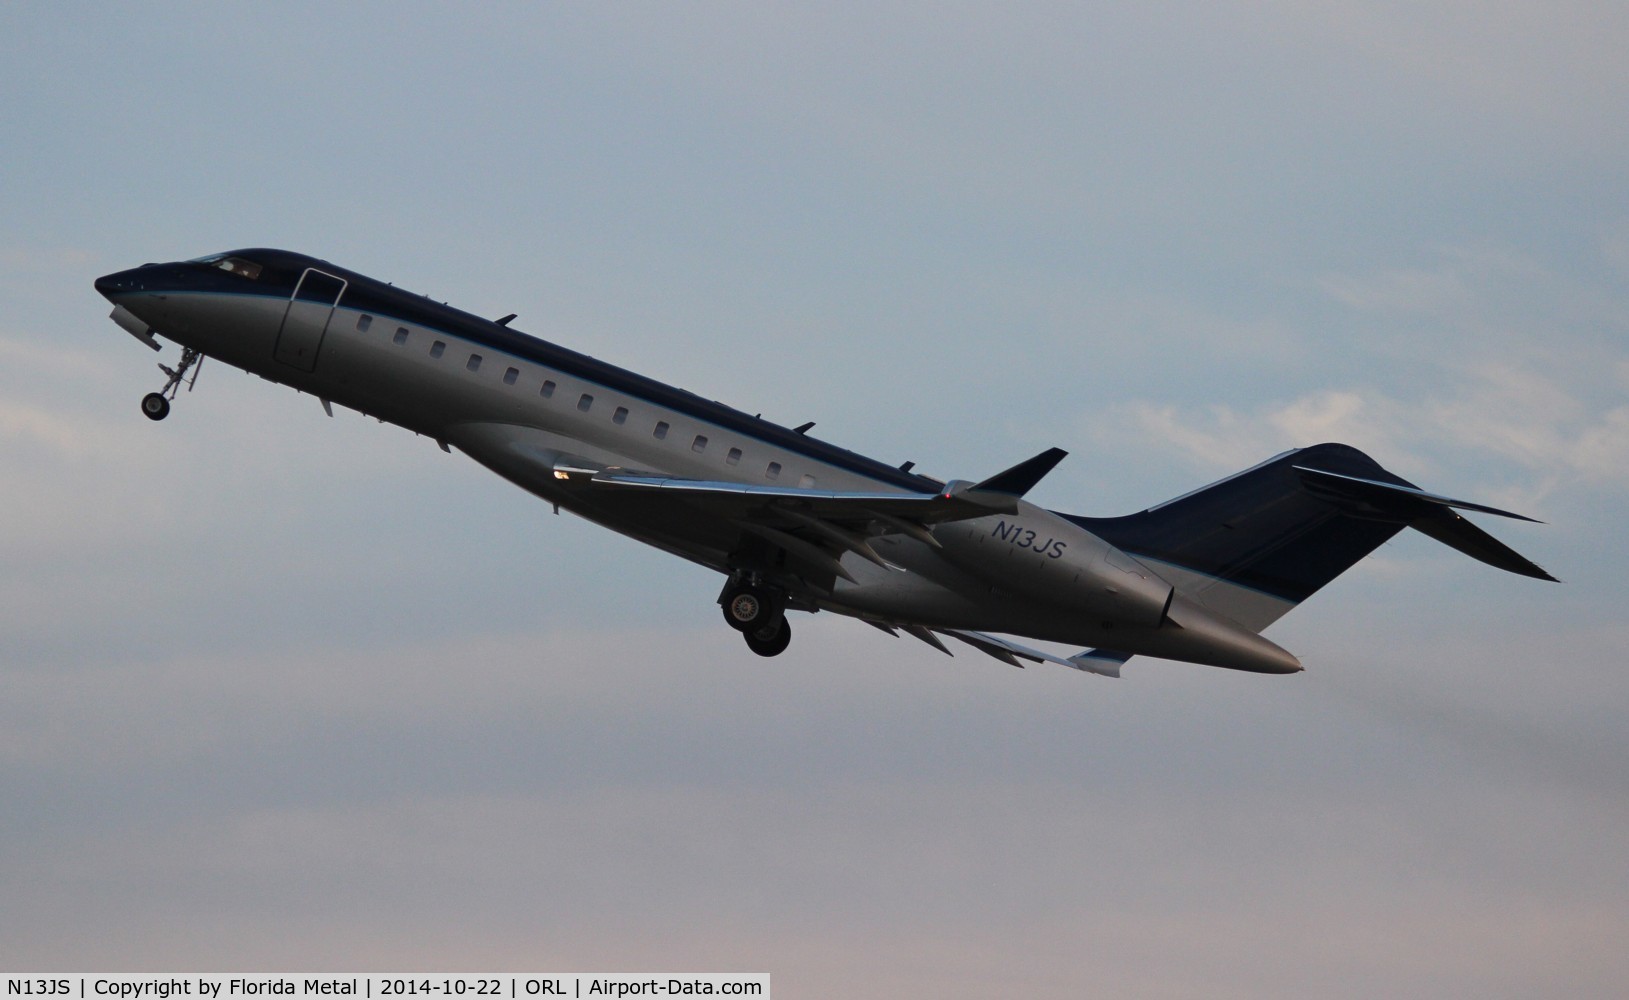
(1042, 556)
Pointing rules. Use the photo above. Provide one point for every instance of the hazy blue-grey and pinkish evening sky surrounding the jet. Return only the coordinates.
(294, 693)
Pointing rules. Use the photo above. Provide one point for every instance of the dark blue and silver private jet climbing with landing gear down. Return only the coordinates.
(794, 524)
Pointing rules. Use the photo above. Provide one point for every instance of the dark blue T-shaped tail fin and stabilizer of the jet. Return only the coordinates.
(1258, 543)
